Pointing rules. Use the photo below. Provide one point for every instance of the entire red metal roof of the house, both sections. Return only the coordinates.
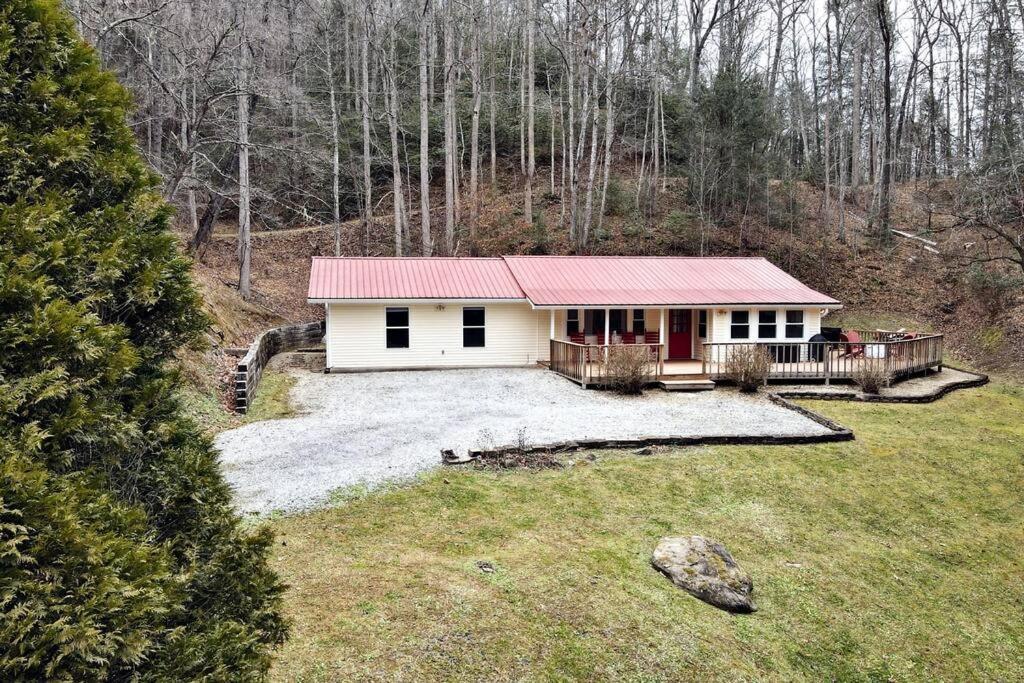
(565, 281)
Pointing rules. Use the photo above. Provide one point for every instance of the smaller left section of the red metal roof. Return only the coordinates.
(412, 279)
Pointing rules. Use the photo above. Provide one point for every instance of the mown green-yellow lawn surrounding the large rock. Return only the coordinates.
(897, 557)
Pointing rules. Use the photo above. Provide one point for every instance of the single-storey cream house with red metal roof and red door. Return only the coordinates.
(472, 313)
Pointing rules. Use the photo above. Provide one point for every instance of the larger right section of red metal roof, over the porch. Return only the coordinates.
(651, 281)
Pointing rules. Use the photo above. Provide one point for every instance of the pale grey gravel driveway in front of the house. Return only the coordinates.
(370, 428)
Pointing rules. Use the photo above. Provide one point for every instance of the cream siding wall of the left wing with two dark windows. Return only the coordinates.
(517, 335)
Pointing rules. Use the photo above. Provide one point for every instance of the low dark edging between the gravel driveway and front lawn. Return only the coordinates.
(837, 434)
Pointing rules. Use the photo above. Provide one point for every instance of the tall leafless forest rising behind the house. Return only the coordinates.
(283, 113)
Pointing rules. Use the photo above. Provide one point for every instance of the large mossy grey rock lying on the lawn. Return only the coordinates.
(706, 570)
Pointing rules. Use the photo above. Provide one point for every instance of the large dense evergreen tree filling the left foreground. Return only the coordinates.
(120, 556)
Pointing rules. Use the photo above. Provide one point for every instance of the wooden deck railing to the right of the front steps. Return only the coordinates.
(828, 361)
